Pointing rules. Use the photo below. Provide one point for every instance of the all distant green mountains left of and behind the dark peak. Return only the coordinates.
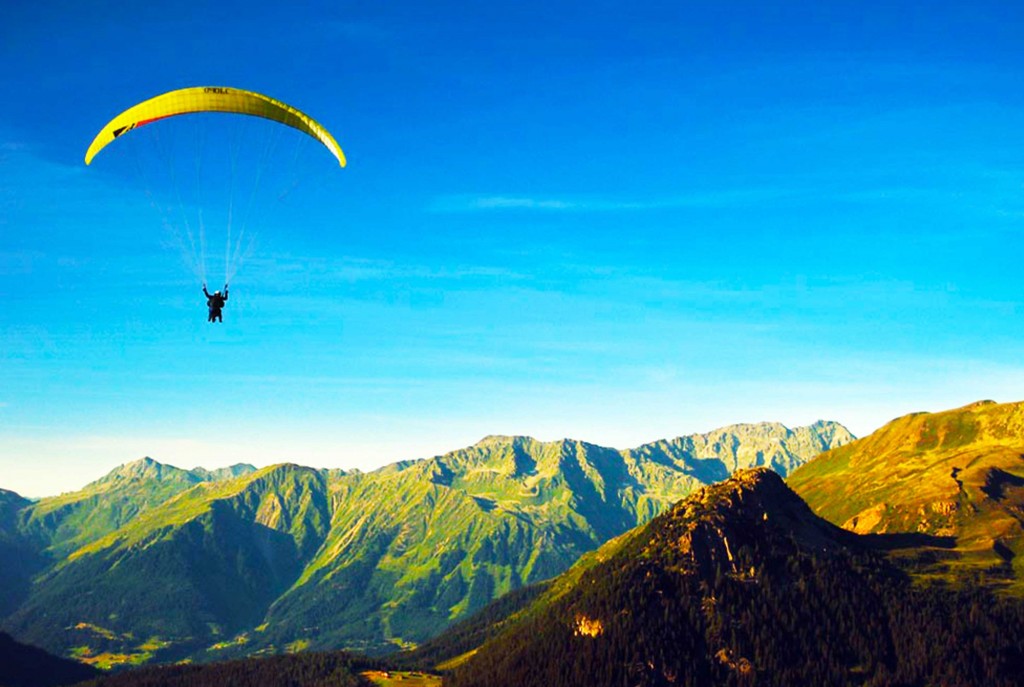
(156, 563)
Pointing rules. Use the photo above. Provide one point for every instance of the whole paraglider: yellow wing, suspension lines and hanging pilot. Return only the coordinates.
(190, 235)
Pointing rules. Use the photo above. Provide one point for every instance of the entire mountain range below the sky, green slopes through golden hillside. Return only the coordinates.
(893, 560)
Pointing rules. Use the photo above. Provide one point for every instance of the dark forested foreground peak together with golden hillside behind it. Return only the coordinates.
(747, 582)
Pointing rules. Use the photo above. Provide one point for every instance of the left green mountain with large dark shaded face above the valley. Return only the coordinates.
(208, 562)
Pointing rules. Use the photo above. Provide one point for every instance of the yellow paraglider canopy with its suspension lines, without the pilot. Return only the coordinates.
(205, 186)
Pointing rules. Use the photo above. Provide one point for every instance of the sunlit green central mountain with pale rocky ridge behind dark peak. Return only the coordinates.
(449, 535)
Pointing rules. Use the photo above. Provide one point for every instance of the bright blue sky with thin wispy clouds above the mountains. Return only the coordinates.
(614, 222)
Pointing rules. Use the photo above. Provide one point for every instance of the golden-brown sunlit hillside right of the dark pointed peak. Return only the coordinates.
(957, 478)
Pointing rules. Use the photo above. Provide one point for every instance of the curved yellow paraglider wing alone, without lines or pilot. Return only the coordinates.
(211, 99)
